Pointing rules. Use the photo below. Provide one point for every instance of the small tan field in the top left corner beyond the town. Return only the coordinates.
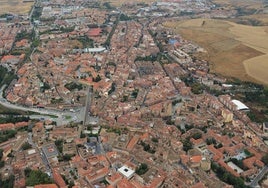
(15, 6)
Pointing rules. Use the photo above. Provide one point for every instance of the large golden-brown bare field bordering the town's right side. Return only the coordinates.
(234, 50)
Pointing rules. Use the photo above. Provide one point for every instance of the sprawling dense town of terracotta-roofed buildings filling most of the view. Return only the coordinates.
(94, 95)
